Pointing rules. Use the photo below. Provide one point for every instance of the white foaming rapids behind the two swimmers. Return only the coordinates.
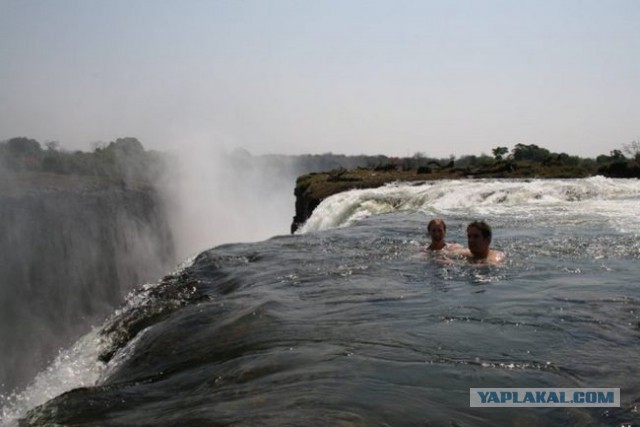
(617, 200)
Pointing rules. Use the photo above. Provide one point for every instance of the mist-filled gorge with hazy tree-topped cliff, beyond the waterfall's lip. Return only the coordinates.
(79, 230)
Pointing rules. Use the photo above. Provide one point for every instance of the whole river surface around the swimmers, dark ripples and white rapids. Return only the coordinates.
(349, 323)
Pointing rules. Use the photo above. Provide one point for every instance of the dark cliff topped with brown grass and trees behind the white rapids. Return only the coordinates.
(523, 161)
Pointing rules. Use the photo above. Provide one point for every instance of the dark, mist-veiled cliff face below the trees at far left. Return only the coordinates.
(69, 253)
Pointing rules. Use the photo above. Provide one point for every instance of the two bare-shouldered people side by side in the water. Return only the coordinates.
(478, 242)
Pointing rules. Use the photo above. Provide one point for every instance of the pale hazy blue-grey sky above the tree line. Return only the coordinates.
(372, 77)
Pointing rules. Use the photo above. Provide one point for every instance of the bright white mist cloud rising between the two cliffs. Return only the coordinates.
(216, 197)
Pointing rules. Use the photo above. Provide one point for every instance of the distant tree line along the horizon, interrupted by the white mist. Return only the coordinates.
(126, 159)
